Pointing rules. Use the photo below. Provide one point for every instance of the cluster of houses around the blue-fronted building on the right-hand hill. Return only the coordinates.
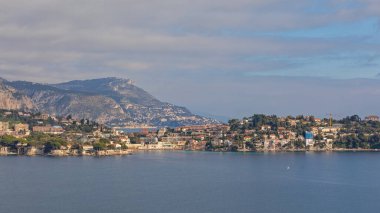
(268, 138)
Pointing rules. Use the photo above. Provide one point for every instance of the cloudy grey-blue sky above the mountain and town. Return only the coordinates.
(216, 57)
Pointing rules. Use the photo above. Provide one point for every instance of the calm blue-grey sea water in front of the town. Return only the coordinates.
(192, 182)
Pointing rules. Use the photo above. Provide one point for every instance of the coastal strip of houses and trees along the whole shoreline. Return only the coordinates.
(26, 133)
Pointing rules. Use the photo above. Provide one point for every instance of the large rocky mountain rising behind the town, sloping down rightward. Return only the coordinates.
(114, 101)
